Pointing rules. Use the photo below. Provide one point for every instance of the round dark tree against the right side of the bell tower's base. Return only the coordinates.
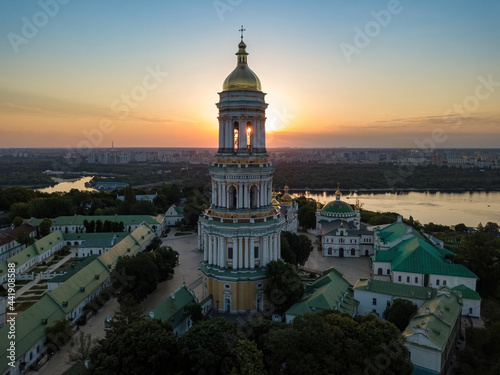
(285, 285)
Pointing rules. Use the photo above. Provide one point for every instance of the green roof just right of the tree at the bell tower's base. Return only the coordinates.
(329, 292)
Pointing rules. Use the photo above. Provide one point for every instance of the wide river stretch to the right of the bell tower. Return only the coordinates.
(440, 208)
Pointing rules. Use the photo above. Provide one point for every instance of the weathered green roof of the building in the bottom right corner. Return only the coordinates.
(436, 317)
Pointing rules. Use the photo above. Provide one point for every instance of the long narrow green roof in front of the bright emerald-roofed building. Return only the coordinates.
(395, 289)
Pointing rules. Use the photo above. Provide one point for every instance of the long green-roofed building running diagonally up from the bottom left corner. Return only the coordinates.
(66, 301)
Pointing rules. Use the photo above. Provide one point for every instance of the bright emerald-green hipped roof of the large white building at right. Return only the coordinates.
(416, 255)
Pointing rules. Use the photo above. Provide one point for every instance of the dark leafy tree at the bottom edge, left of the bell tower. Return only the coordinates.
(145, 347)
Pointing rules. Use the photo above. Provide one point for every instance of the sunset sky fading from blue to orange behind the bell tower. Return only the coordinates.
(414, 74)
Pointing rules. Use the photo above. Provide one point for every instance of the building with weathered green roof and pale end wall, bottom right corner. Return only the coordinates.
(432, 332)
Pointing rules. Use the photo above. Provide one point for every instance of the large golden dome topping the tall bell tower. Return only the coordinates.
(242, 77)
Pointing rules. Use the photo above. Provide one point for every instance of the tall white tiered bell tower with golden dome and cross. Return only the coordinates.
(240, 232)
